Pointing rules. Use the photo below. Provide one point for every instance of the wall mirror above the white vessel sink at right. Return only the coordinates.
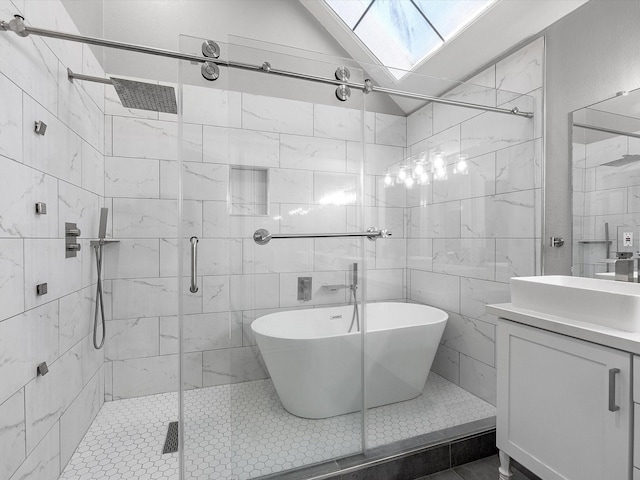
(606, 188)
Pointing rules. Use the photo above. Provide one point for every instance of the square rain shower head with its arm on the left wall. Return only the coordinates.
(133, 94)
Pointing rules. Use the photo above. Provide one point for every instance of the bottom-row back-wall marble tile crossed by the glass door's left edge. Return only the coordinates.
(147, 376)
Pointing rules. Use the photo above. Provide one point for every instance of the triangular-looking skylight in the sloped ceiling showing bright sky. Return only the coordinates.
(402, 33)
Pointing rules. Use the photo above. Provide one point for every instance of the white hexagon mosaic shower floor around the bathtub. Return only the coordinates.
(241, 431)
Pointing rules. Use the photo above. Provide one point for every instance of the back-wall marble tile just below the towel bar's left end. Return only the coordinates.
(283, 255)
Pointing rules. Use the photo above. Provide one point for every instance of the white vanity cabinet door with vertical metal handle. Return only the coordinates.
(554, 408)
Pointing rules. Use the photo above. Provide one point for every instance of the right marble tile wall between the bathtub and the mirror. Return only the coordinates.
(469, 234)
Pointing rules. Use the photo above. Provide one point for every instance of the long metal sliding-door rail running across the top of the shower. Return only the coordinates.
(21, 29)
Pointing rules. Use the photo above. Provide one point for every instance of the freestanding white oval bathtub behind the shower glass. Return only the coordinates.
(315, 364)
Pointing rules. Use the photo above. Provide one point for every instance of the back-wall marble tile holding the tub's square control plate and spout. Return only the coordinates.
(319, 294)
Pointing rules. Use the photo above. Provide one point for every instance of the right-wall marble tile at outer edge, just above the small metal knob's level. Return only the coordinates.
(509, 215)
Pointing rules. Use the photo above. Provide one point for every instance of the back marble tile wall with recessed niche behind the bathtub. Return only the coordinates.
(313, 154)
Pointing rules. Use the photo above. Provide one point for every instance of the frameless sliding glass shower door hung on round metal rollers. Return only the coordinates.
(282, 157)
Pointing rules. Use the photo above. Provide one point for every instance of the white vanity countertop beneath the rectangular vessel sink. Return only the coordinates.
(609, 337)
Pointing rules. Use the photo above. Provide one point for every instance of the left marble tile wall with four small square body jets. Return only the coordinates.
(43, 418)
